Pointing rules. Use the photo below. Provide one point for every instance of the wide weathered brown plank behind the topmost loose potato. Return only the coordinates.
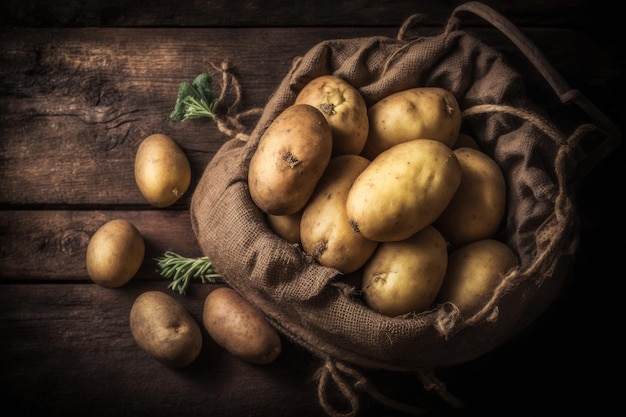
(76, 103)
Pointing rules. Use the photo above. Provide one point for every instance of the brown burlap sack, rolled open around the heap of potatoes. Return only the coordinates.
(308, 304)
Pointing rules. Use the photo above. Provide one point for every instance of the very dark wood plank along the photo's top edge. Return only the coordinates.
(228, 13)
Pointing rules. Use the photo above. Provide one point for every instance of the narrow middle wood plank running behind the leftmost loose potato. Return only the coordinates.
(51, 245)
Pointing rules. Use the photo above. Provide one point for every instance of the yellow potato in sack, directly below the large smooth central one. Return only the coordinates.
(405, 276)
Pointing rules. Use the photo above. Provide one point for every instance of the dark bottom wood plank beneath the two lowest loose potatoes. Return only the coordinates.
(70, 350)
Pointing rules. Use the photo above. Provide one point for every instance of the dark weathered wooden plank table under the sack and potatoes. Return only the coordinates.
(82, 83)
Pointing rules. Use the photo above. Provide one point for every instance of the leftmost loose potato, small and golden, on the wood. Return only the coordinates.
(114, 253)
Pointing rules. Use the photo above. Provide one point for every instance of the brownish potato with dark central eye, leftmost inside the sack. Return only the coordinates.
(290, 158)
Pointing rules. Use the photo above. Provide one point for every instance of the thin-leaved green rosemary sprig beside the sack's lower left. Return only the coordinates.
(181, 270)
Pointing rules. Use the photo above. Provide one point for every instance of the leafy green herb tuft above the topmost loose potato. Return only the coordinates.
(195, 99)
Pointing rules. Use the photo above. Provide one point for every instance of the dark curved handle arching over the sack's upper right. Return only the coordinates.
(565, 93)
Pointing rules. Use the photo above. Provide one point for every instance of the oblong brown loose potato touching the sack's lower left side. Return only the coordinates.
(239, 327)
